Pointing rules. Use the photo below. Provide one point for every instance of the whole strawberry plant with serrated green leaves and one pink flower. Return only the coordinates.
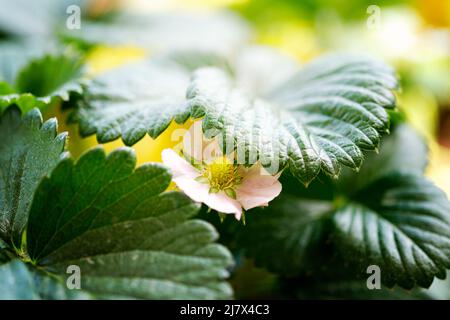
(306, 176)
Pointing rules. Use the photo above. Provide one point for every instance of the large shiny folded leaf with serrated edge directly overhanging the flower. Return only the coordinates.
(320, 118)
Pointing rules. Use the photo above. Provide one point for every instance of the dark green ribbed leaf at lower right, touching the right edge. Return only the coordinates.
(402, 225)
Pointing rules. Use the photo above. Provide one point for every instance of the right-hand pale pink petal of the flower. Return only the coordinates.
(257, 188)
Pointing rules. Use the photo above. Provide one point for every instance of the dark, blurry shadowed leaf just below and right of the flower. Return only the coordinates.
(297, 229)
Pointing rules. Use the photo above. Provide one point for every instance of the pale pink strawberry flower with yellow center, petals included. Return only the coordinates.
(217, 181)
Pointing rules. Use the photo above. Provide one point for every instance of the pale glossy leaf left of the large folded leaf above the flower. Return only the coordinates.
(134, 100)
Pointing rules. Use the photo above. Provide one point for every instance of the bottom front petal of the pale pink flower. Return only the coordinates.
(199, 192)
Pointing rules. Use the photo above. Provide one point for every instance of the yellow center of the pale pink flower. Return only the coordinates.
(222, 174)
